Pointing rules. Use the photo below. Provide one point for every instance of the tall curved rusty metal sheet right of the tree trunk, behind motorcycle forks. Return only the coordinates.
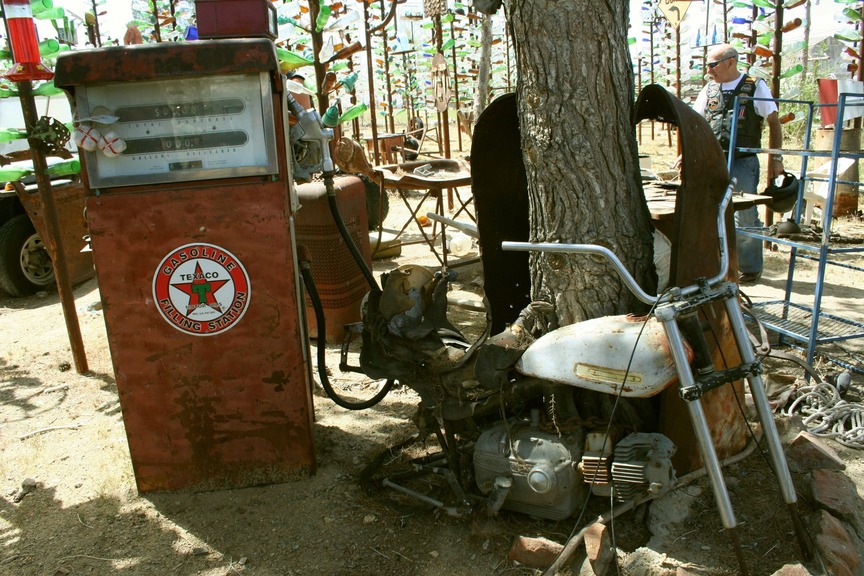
(704, 179)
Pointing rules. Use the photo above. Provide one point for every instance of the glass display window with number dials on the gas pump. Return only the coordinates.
(179, 130)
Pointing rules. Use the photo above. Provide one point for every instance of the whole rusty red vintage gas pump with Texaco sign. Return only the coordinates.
(191, 214)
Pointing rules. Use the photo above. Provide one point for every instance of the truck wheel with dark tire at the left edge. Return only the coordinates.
(25, 266)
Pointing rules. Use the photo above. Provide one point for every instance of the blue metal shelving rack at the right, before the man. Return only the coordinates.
(808, 325)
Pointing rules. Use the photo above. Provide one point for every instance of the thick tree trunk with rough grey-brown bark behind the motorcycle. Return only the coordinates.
(575, 95)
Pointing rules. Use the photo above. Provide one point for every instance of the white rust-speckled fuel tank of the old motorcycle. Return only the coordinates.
(596, 355)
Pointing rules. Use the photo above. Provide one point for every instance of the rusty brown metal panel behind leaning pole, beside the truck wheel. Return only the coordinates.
(69, 201)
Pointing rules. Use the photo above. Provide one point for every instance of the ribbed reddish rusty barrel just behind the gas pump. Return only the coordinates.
(340, 283)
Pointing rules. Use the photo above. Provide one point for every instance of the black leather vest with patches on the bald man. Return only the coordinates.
(719, 110)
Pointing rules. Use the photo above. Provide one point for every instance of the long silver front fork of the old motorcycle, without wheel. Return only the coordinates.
(698, 378)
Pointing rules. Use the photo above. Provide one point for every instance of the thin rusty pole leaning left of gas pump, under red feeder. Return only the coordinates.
(61, 270)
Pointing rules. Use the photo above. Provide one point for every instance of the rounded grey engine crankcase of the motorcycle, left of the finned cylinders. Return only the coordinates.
(540, 469)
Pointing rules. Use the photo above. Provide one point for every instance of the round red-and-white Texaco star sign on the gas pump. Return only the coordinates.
(201, 289)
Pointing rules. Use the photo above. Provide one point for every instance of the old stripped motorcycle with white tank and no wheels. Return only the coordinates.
(510, 412)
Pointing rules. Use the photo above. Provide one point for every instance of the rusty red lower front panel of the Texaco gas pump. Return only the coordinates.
(228, 409)
